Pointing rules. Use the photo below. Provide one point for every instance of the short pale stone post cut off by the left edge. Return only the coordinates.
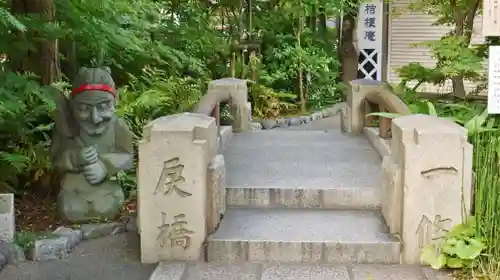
(7, 217)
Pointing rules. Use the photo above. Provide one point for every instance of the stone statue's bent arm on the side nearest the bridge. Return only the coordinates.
(123, 156)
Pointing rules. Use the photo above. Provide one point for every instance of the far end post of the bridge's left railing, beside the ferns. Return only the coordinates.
(238, 91)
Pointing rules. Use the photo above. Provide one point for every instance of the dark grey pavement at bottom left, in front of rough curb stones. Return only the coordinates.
(107, 258)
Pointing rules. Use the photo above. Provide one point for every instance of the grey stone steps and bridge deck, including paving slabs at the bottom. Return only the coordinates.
(301, 204)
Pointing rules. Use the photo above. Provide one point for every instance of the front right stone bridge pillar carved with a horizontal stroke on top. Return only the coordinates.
(426, 181)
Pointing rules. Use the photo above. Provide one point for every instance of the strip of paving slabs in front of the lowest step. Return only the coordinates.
(254, 271)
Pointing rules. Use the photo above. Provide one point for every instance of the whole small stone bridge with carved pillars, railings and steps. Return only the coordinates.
(210, 193)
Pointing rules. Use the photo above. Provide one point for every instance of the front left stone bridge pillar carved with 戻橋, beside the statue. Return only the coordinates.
(172, 186)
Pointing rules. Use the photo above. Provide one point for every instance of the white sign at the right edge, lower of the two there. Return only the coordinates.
(494, 80)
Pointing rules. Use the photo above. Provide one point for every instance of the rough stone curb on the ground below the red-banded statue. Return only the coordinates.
(60, 243)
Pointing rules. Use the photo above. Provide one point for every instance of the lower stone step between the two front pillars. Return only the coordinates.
(302, 235)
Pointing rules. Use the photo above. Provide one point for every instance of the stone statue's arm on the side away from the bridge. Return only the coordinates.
(62, 155)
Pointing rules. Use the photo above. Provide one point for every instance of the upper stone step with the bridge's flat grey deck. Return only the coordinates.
(301, 169)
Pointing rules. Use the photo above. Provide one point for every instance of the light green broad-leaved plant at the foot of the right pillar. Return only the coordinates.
(460, 248)
